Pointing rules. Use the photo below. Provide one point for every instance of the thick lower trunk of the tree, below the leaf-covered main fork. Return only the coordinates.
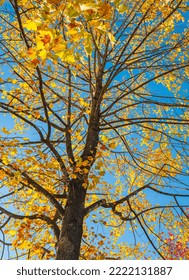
(68, 246)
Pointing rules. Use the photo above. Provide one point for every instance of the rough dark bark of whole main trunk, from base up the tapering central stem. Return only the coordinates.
(68, 246)
